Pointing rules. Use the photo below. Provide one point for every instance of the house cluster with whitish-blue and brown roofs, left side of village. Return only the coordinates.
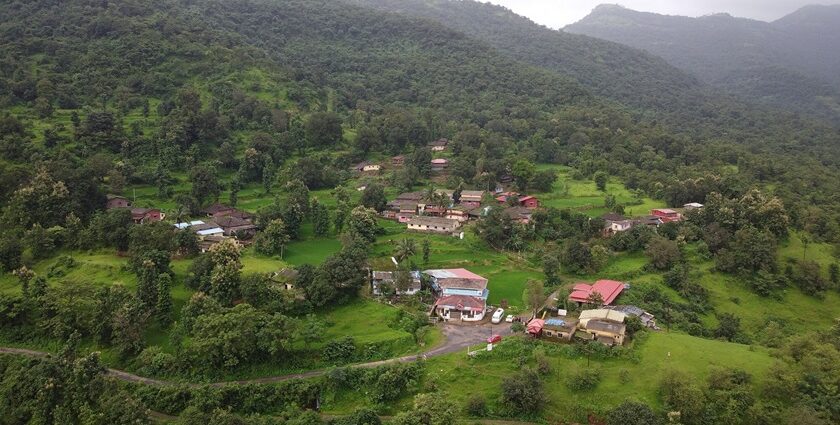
(222, 222)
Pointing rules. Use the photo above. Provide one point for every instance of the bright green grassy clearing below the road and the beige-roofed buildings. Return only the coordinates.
(460, 377)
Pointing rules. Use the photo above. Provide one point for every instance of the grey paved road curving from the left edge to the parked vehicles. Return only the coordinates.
(458, 337)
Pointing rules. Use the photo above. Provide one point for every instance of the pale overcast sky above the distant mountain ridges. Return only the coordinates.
(559, 13)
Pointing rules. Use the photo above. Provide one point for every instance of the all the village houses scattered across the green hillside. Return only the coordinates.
(590, 312)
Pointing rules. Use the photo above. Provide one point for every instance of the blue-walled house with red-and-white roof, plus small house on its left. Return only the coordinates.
(461, 295)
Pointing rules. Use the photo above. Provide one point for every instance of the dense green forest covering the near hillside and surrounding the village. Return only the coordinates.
(199, 98)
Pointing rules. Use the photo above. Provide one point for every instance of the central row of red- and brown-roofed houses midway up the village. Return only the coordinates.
(419, 215)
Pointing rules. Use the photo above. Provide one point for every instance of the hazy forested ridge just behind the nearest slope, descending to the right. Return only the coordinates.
(648, 86)
